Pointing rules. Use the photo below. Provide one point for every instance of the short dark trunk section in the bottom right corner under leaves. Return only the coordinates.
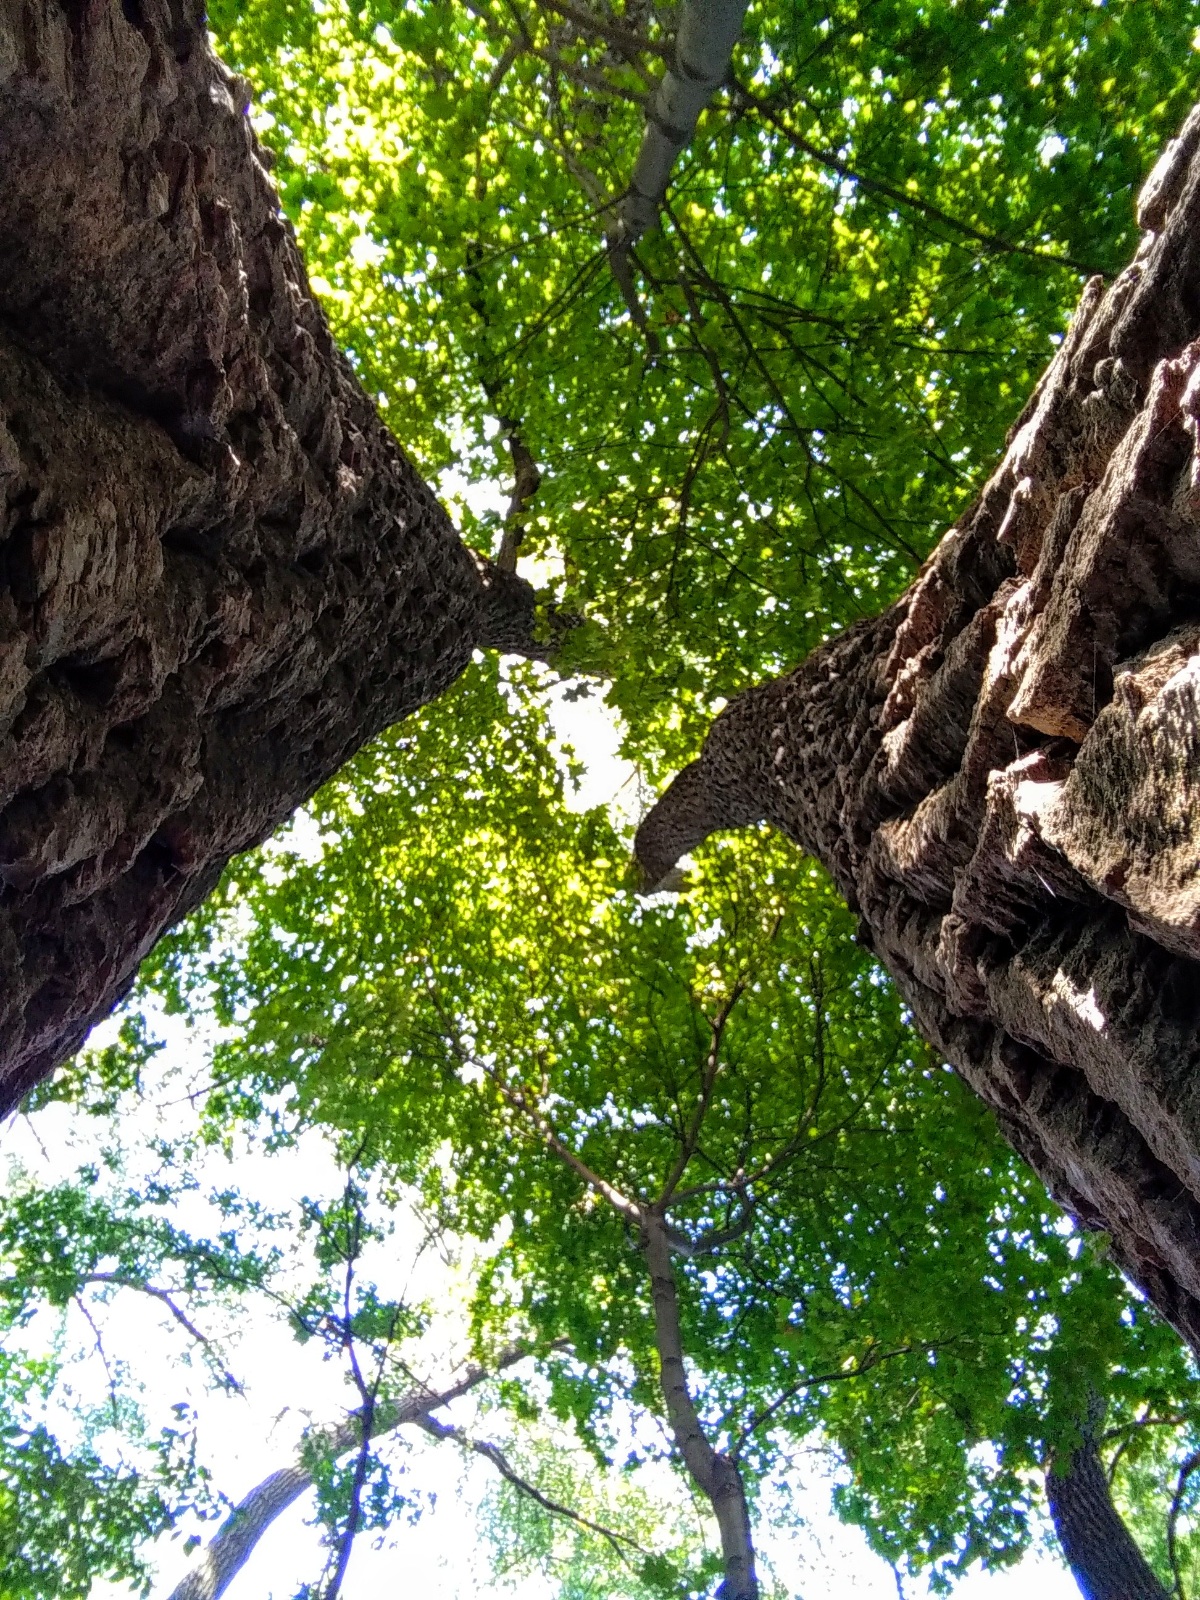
(1100, 1550)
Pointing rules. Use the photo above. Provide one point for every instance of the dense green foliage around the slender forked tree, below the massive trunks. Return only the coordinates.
(906, 1289)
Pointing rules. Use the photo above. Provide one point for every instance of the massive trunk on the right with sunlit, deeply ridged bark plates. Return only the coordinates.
(1002, 772)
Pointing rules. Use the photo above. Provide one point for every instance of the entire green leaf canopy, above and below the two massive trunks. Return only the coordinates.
(714, 460)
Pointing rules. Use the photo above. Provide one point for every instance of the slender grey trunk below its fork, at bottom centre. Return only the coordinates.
(716, 1474)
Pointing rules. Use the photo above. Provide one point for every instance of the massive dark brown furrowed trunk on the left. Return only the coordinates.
(218, 572)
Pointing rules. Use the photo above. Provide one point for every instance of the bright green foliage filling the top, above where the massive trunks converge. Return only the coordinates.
(879, 228)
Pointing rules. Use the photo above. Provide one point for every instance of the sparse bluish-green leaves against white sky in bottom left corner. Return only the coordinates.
(86, 1486)
